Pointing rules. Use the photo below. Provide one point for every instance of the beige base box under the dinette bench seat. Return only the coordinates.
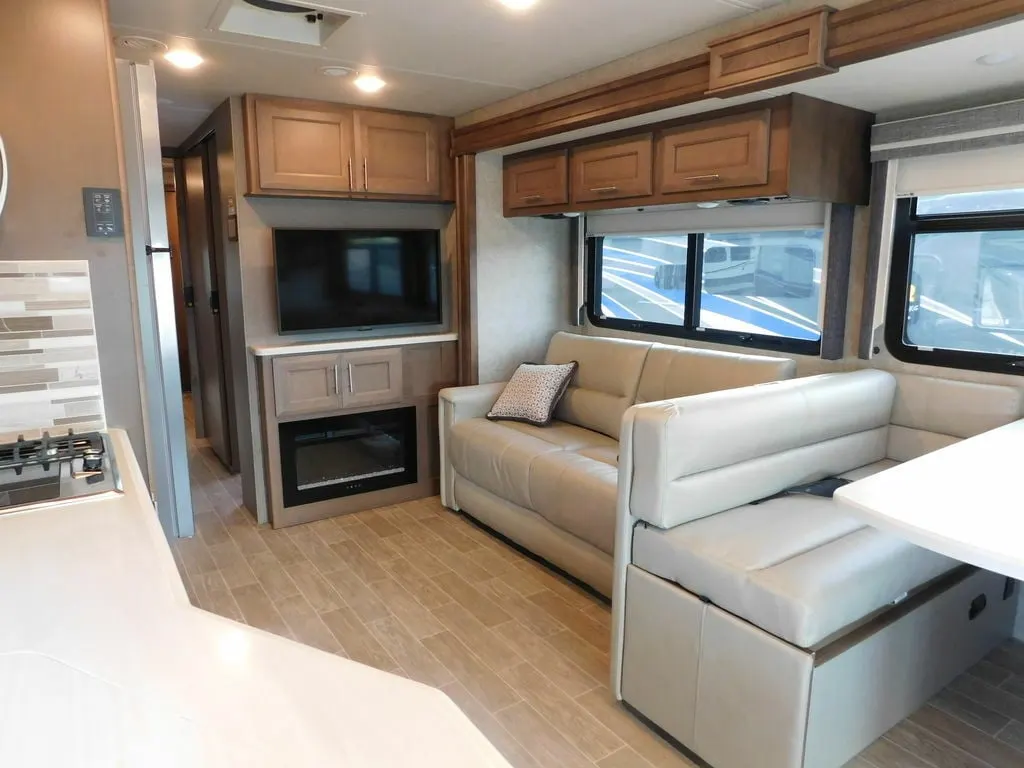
(740, 698)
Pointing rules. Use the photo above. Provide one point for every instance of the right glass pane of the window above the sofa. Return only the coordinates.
(763, 283)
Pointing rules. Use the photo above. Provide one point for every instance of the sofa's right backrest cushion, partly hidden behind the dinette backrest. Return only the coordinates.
(680, 372)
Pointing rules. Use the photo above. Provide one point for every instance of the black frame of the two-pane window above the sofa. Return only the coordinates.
(692, 309)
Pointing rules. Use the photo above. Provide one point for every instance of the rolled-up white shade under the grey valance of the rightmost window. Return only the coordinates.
(1000, 168)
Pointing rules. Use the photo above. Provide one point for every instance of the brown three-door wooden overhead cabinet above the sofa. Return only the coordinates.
(791, 147)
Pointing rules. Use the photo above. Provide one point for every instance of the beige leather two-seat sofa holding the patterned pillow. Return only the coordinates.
(553, 490)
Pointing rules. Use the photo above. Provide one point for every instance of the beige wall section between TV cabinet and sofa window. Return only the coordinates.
(523, 279)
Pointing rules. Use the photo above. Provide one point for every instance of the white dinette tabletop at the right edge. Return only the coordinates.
(964, 501)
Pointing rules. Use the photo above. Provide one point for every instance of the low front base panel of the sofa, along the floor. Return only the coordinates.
(534, 533)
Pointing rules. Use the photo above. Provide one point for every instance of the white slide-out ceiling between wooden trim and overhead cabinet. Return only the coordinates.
(935, 78)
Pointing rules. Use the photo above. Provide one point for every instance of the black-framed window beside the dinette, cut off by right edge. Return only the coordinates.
(957, 286)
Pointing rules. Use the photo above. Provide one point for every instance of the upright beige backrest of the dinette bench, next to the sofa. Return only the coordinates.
(695, 457)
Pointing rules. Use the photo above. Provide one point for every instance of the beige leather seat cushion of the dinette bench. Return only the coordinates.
(795, 567)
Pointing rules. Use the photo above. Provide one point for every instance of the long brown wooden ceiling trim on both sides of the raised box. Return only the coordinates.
(872, 30)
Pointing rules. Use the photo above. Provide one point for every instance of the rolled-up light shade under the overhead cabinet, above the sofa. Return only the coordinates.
(724, 219)
